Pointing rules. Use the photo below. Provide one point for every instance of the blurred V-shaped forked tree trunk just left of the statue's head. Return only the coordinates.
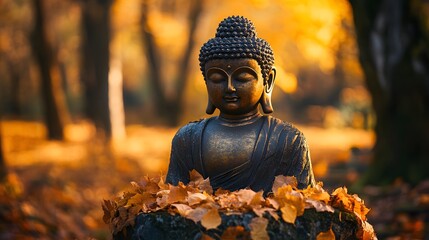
(169, 108)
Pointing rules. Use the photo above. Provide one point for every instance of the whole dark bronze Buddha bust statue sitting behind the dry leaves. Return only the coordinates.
(241, 147)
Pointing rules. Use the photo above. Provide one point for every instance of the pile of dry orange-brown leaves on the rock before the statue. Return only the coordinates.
(196, 201)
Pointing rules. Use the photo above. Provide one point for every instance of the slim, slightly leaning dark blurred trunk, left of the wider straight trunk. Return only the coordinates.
(50, 76)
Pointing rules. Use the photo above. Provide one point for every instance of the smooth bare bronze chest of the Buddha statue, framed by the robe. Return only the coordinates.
(227, 147)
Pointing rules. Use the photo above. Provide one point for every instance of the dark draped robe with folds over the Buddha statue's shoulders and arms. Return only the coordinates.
(280, 149)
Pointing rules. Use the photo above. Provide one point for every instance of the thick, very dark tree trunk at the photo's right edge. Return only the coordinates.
(394, 55)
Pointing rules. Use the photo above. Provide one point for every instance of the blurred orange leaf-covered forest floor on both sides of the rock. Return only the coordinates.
(54, 190)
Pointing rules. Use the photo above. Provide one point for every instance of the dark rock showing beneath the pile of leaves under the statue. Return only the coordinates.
(163, 225)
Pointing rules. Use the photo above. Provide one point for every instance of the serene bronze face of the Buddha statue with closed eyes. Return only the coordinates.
(235, 86)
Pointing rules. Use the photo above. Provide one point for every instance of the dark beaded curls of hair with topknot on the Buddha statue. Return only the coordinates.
(236, 38)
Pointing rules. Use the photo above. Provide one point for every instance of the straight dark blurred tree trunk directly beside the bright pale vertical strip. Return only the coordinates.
(95, 62)
